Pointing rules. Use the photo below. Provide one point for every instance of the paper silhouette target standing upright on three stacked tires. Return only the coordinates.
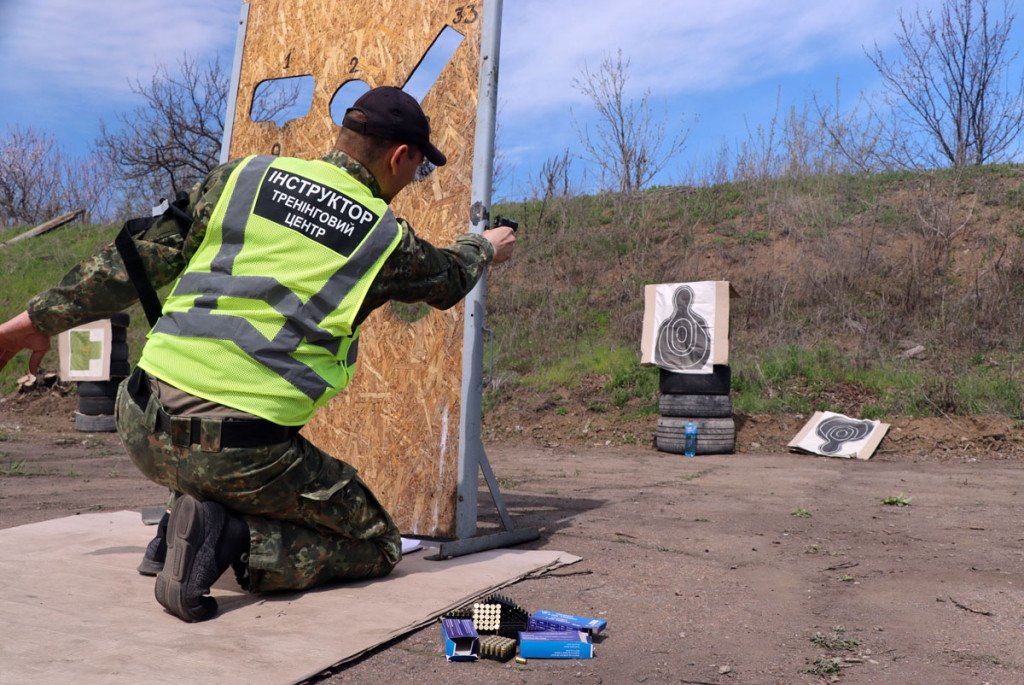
(687, 326)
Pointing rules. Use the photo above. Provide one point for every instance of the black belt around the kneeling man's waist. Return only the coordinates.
(211, 435)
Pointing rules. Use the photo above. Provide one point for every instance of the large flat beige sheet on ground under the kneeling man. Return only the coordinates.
(73, 610)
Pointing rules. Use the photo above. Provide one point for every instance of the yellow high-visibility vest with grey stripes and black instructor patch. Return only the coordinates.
(263, 318)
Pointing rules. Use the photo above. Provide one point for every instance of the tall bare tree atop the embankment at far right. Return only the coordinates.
(953, 83)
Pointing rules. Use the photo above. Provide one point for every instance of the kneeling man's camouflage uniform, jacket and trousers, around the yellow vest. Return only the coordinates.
(312, 520)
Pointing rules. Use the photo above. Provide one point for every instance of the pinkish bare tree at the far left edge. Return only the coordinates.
(38, 181)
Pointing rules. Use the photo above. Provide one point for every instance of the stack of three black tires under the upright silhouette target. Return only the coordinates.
(703, 399)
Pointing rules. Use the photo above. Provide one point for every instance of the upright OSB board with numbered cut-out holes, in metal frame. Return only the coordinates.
(399, 421)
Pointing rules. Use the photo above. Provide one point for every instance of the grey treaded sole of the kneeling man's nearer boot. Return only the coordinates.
(186, 534)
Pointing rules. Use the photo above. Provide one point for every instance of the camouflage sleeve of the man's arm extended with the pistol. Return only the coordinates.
(417, 272)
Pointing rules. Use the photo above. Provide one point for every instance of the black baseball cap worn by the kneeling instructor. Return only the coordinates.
(395, 115)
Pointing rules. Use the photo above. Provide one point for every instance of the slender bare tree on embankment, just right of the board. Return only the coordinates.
(630, 144)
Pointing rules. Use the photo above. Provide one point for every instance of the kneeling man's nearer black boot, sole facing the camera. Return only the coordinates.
(203, 540)
